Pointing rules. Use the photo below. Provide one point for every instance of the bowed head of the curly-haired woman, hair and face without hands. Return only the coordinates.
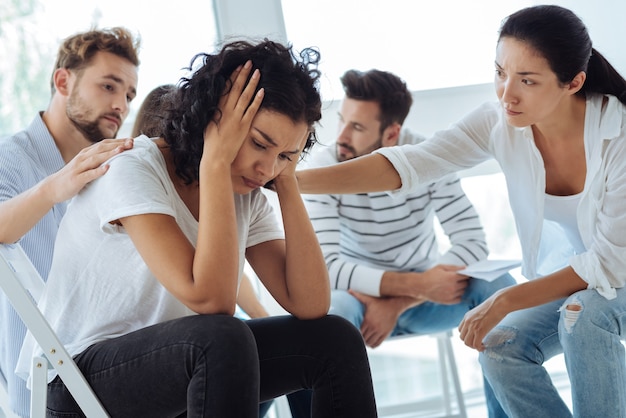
(291, 97)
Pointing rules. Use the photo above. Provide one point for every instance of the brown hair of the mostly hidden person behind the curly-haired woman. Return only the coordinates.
(150, 116)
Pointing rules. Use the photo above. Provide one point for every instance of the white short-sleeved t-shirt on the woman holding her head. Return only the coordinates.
(99, 287)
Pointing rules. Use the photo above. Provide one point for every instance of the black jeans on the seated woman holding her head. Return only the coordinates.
(220, 366)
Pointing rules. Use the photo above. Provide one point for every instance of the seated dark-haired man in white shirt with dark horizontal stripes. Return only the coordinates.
(381, 250)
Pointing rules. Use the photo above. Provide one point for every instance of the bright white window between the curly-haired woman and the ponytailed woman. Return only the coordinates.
(441, 44)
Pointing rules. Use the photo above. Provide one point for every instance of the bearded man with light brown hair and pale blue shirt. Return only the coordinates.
(93, 82)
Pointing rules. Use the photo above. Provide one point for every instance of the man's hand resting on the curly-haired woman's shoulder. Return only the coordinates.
(85, 167)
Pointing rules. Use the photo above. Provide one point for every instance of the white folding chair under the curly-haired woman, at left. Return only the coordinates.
(22, 285)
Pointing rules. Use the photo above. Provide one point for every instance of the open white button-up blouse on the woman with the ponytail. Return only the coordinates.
(601, 215)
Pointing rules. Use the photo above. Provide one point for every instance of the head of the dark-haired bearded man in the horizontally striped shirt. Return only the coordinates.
(375, 105)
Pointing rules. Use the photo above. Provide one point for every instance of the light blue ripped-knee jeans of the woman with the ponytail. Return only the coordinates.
(588, 329)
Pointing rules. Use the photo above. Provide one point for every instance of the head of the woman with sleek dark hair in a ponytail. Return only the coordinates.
(548, 48)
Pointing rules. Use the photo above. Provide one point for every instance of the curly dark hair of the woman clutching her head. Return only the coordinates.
(290, 82)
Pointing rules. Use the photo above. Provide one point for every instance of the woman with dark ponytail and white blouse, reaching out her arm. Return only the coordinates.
(558, 132)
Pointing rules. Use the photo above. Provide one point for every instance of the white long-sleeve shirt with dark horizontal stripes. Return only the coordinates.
(364, 235)
